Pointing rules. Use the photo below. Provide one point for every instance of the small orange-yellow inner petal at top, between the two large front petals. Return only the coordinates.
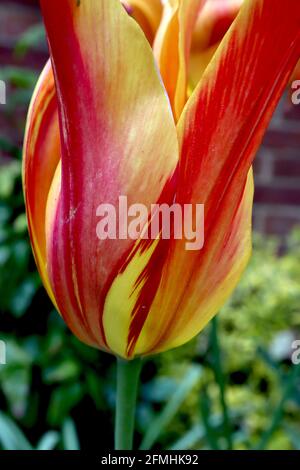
(172, 48)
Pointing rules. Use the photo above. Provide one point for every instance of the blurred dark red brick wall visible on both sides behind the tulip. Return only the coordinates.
(277, 167)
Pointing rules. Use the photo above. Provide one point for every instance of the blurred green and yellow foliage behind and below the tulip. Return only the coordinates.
(232, 387)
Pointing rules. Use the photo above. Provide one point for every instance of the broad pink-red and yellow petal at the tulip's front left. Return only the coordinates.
(111, 105)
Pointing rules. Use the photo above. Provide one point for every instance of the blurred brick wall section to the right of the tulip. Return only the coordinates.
(277, 173)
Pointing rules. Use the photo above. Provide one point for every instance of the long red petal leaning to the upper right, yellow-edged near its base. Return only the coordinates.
(220, 132)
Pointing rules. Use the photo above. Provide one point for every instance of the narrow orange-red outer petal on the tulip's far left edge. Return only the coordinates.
(40, 158)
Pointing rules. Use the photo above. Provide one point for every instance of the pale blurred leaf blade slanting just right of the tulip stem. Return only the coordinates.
(188, 382)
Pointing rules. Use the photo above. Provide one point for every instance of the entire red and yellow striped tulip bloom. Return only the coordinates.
(111, 116)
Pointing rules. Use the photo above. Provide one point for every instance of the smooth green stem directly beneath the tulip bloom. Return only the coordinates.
(128, 373)
